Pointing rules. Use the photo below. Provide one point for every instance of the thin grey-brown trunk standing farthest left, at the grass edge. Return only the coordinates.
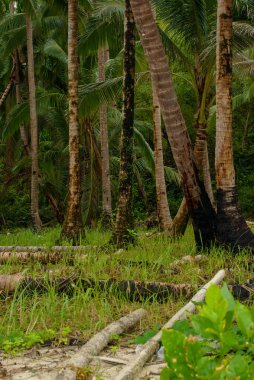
(37, 224)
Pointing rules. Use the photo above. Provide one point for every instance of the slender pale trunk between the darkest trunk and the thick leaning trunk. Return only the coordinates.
(163, 212)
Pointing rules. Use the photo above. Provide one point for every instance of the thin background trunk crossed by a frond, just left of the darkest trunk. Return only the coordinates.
(105, 179)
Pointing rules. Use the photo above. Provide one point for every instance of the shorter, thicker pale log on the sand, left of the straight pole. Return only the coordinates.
(96, 344)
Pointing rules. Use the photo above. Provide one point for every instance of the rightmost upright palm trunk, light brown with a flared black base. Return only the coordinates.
(232, 228)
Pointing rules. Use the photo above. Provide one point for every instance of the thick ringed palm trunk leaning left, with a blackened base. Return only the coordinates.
(198, 203)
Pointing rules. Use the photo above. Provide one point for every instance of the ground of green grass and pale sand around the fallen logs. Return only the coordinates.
(39, 329)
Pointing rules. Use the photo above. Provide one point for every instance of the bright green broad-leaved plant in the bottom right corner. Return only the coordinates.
(215, 344)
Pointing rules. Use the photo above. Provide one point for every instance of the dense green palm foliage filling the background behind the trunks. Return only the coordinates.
(101, 28)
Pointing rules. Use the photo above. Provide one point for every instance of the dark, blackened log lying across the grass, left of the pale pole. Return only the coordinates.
(135, 290)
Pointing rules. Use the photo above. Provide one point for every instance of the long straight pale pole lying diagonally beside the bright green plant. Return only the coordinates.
(130, 371)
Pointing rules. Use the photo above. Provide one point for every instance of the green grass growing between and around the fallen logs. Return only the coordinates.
(26, 319)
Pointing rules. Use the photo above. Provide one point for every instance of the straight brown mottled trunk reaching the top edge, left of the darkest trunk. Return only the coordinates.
(72, 227)
